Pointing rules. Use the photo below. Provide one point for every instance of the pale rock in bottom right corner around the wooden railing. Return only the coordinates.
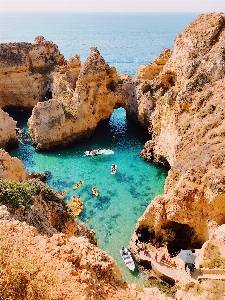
(210, 263)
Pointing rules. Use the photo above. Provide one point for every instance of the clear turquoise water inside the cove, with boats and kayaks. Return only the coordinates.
(122, 197)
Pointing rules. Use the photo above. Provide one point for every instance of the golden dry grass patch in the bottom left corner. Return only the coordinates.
(22, 275)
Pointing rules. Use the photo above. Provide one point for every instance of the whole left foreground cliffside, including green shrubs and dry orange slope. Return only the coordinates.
(45, 253)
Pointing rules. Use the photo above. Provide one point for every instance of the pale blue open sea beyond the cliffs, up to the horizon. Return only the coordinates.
(125, 40)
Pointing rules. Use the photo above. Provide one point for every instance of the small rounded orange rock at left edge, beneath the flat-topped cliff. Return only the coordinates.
(7, 130)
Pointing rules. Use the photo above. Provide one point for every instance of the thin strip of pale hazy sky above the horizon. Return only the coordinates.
(199, 6)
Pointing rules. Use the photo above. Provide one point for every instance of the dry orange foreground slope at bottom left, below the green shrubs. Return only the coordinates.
(60, 268)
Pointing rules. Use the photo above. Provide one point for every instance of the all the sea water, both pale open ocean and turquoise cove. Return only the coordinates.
(126, 41)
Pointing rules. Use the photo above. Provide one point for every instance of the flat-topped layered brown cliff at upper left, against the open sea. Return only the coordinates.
(26, 71)
